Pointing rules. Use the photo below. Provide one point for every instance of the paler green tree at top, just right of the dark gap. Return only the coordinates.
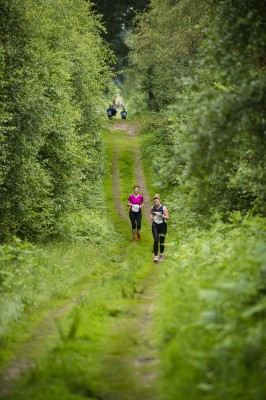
(165, 47)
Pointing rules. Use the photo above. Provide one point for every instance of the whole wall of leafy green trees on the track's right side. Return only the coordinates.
(203, 68)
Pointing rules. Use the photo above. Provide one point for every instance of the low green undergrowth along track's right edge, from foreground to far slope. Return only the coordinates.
(210, 312)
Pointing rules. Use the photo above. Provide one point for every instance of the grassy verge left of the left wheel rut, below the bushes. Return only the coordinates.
(39, 280)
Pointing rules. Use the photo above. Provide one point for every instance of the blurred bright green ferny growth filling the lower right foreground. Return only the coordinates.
(212, 336)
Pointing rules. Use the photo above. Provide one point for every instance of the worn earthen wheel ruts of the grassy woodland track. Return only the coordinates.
(140, 368)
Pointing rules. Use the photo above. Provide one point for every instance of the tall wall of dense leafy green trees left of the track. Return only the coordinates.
(53, 71)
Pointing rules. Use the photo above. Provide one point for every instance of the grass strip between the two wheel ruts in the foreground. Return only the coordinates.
(85, 361)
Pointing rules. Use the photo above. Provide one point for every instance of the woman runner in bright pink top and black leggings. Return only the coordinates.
(135, 202)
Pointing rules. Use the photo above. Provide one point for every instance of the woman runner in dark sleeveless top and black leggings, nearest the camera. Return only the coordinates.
(159, 217)
